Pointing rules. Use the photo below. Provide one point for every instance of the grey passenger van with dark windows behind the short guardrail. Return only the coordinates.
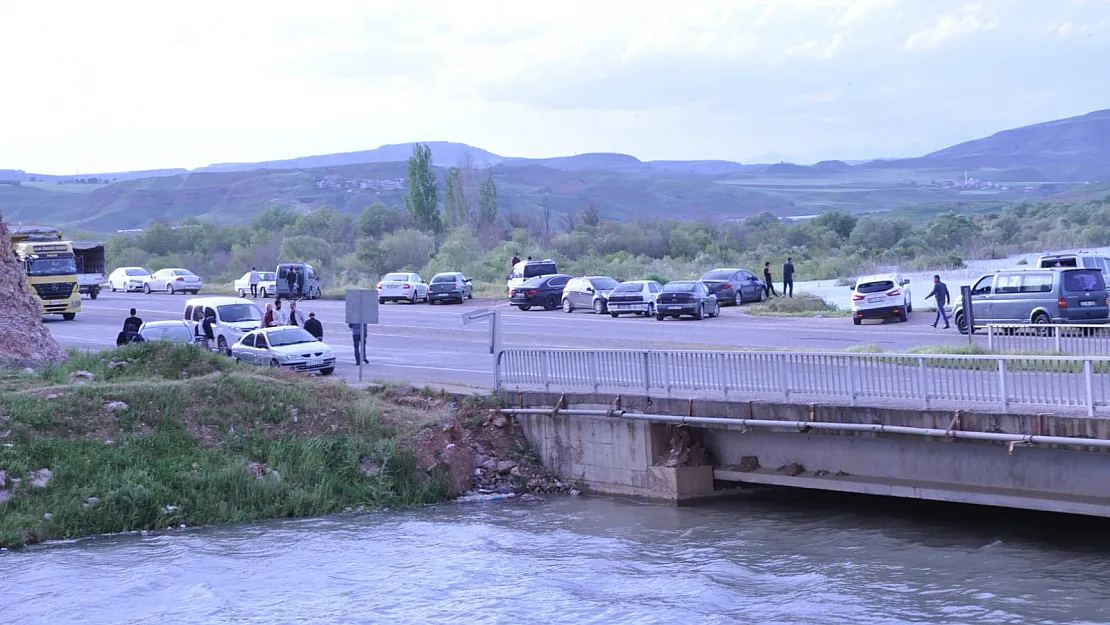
(1038, 297)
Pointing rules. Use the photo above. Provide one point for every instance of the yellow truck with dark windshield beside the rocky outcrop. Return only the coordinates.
(49, 268)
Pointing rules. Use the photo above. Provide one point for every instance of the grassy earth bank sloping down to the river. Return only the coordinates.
(181, 451)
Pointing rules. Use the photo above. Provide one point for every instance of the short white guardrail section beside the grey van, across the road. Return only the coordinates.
(1050, 339)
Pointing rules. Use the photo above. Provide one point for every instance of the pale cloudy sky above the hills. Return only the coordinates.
(123, 85)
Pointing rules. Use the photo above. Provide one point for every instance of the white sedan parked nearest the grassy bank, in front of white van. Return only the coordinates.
(288, 347)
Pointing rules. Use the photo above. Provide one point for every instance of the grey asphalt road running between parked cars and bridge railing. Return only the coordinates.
(427, 345)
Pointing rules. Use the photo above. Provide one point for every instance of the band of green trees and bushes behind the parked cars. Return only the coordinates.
(467, 230)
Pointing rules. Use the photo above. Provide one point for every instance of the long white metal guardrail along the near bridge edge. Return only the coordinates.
(881, 380)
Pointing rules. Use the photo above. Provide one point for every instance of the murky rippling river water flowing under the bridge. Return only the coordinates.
(778, 558)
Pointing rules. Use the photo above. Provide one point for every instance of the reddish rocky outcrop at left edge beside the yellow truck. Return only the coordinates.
(24, 338)
